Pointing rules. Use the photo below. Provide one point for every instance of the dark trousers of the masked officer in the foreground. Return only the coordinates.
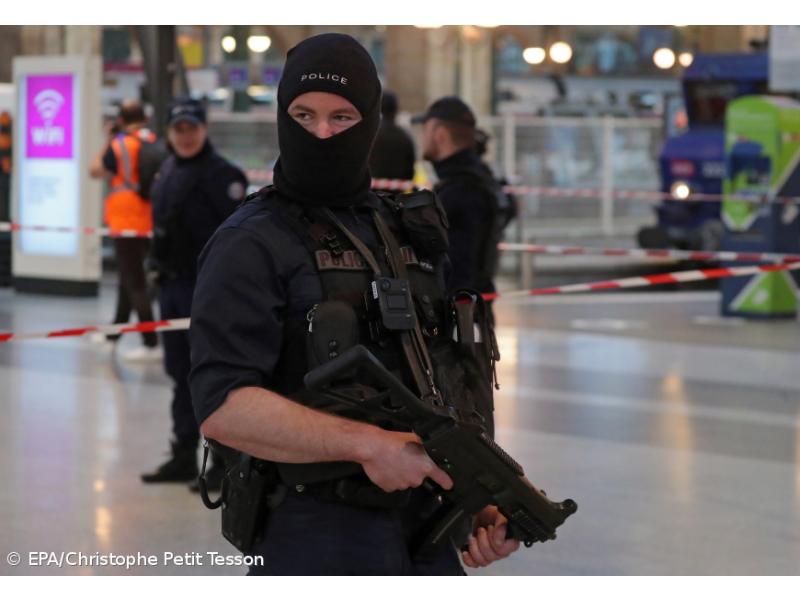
(308, 535)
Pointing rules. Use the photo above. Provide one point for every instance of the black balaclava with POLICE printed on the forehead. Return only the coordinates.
(332, 171)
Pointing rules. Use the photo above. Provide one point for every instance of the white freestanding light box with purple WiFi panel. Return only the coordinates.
(58, 132)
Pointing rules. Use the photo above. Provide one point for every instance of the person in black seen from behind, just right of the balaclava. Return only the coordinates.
(393, 152)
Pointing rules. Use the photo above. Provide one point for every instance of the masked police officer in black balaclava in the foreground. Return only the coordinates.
(287, 284)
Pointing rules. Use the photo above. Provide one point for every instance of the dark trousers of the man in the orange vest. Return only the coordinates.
(132, 290)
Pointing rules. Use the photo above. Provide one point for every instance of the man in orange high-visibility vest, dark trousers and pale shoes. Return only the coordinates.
(126, 209)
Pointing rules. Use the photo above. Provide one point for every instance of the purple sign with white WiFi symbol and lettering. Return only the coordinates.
(49, 116)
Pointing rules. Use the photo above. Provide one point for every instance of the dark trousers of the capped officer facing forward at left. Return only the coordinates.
(175, 300)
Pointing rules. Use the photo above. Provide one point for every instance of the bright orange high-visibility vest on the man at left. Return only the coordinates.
(125, 208)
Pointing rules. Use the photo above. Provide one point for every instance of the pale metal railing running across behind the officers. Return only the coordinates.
(606, 153)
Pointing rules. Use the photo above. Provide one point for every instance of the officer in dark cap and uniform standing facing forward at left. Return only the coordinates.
(194, 192)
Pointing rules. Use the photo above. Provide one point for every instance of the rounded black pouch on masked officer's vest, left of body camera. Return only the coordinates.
(332, 329)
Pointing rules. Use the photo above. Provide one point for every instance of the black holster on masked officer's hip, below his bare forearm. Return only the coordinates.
(250, 485)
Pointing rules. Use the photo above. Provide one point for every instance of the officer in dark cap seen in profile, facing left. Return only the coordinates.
(466, 189)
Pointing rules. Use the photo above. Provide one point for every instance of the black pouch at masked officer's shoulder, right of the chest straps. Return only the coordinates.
(424, 220)
